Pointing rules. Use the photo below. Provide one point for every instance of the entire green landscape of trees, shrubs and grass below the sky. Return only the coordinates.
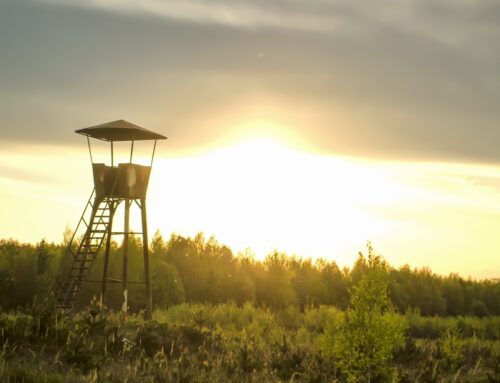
(221, 317)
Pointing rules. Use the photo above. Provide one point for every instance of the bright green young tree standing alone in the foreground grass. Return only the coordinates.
(369, 332)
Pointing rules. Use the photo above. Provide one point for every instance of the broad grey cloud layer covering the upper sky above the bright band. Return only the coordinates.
(411, 79)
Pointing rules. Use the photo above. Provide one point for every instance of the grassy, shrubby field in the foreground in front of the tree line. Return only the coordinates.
(226, 342)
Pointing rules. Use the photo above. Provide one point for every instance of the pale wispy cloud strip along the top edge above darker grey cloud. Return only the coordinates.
(452, 22)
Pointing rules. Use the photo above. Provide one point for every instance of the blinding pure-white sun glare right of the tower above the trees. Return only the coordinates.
(263, 194)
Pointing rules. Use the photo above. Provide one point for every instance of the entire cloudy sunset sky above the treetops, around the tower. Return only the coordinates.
(305, 126)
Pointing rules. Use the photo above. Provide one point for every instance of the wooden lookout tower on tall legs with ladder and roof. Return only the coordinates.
(125, 184)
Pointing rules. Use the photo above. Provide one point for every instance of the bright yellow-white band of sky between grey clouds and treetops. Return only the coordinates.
(265, 193)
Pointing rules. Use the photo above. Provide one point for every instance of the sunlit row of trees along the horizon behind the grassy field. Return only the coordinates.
(185, 269)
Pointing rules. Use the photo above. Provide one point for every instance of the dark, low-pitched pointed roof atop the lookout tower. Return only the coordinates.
(120, 130)
